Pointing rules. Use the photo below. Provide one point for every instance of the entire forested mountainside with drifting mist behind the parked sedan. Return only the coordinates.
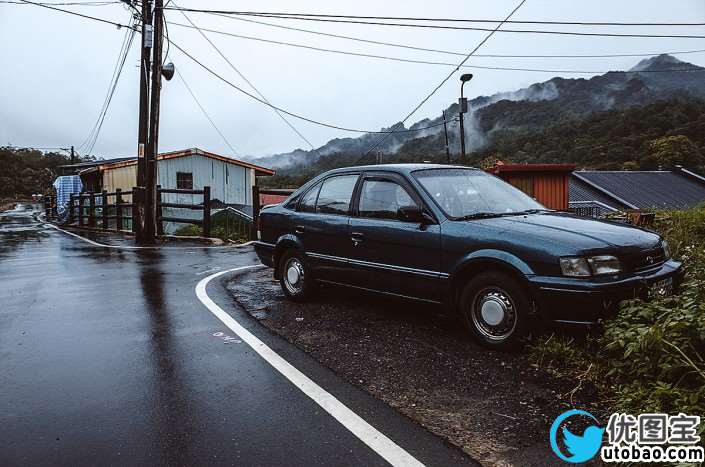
(648, 116)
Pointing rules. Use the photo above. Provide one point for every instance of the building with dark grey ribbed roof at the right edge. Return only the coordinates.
(601, 192)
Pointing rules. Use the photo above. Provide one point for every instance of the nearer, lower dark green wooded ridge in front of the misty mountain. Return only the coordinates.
(661, 134)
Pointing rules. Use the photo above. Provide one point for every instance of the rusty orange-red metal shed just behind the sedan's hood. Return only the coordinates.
(547, 183)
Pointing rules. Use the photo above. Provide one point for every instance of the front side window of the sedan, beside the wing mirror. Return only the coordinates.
(380, 199)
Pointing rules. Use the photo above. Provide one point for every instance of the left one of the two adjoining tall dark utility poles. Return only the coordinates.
(138, 209)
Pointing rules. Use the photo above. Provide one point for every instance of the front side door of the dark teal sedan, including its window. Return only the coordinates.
(388, 254)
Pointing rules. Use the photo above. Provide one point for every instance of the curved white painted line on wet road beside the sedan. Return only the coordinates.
(378, 442)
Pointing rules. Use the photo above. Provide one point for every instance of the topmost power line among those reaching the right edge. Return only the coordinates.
(457, 20)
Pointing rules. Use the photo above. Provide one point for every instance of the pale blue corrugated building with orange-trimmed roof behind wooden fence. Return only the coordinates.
(231, 180)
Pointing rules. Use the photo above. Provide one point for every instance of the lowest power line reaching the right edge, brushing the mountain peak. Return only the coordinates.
(406, 60)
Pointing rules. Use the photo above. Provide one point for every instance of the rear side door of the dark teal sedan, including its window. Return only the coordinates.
(322, 225)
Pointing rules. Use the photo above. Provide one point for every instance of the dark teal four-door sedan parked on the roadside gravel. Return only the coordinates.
(463, 238)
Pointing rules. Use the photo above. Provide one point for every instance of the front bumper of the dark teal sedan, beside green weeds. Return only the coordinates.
(585, 301)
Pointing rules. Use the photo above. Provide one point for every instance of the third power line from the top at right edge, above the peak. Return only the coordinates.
(448, 52)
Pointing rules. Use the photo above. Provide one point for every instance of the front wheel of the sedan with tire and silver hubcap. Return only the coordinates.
(495, 307)
